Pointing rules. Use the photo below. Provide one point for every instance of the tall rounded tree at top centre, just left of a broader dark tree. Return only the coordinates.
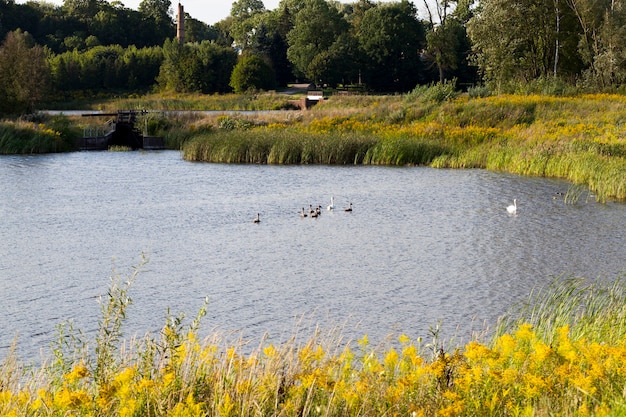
(317, 26)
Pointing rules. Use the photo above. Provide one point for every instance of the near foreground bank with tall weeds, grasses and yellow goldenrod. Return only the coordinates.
(561, 354)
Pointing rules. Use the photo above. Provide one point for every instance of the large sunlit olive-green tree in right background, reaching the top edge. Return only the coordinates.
(515, 41)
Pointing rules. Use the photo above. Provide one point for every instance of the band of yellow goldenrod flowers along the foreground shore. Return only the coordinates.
(519, 373)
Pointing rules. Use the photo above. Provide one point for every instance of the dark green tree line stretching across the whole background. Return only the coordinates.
(94, 45)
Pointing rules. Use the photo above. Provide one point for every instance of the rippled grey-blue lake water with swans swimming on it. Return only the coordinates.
(420, 246)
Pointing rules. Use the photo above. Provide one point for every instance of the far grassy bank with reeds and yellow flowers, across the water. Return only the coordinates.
(580, 139)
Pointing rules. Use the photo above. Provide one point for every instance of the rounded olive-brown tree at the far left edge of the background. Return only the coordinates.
(24, 74)
